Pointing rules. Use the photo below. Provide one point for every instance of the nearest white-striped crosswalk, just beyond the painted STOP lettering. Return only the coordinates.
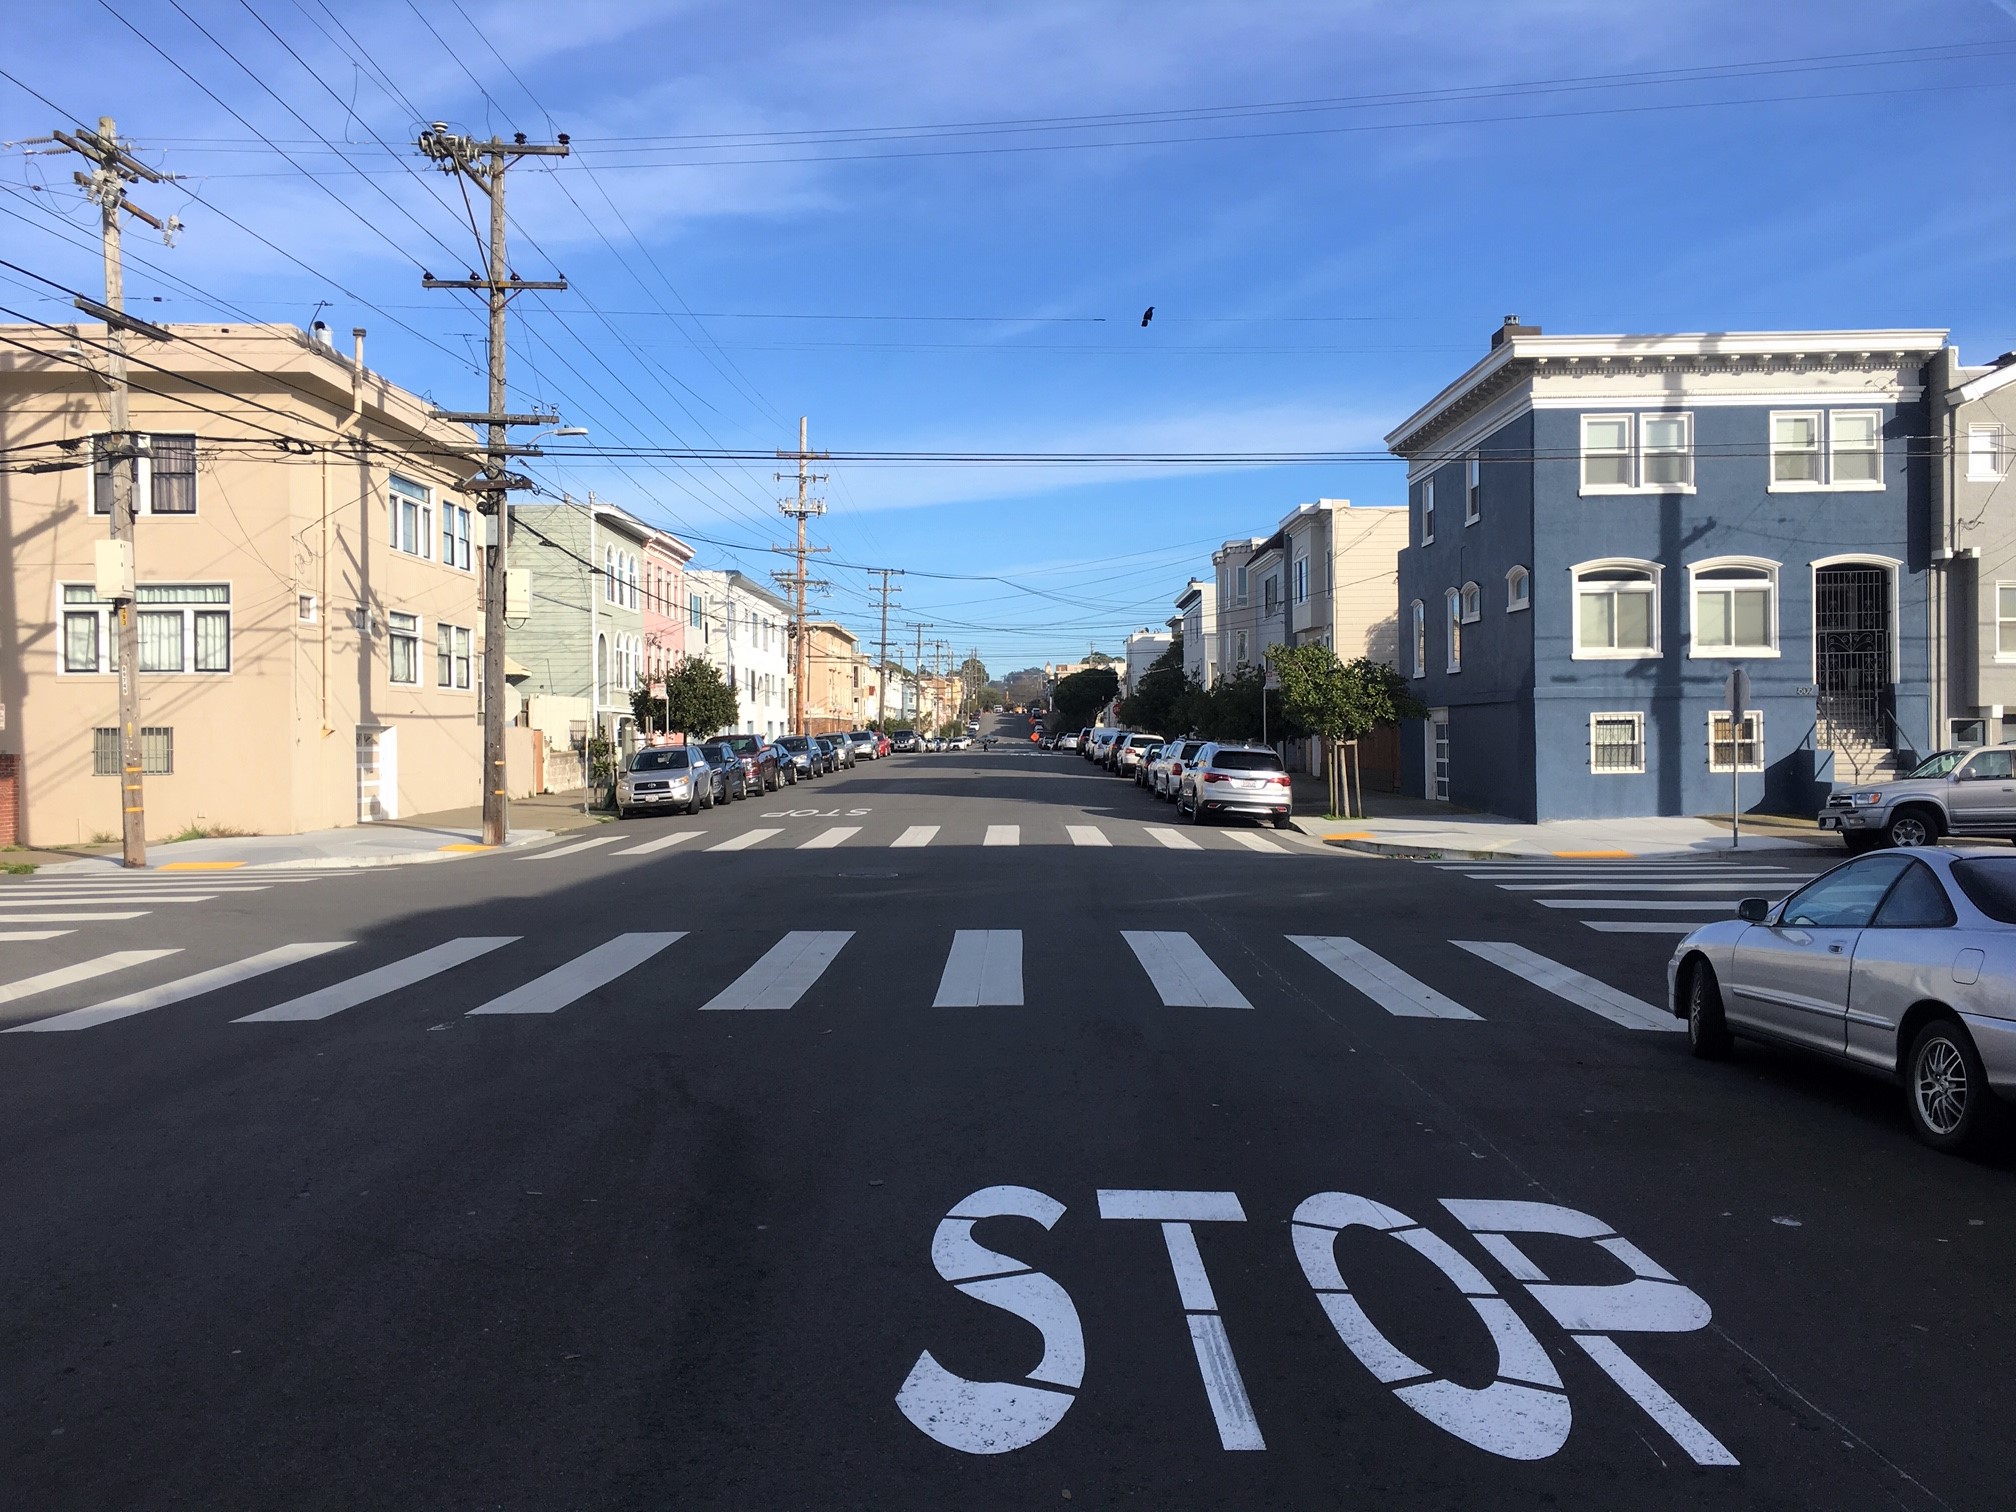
(983, 969)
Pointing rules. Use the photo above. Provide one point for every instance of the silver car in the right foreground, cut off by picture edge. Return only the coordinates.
(1894, 965)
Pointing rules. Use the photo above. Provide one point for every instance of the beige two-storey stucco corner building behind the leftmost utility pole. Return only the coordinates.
(307, 588)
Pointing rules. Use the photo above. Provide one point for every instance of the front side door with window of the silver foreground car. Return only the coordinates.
(1791, 979)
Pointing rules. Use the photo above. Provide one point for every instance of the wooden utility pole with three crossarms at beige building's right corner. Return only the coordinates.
(485, 166)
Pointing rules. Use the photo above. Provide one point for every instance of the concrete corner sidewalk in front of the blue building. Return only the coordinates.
(1412, 828)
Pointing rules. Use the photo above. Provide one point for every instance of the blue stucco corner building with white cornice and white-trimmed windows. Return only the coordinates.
(1604, 527)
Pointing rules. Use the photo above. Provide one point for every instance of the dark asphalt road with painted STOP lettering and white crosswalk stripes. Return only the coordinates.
(1114, 1172)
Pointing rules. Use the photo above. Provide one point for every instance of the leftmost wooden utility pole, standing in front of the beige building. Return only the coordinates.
(112, 170)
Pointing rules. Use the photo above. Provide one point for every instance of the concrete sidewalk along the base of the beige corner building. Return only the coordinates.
(451, 836)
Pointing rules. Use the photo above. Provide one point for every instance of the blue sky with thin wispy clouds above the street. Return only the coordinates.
(1319, 261)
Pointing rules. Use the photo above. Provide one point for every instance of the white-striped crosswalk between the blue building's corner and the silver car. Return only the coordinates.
(1644, 898)
